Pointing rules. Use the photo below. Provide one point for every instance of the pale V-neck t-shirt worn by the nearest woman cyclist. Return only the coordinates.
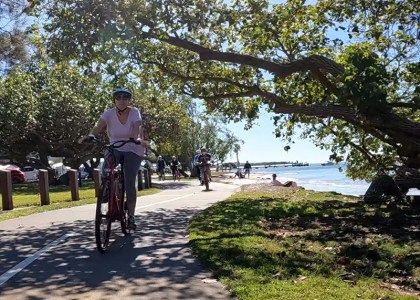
(118, 131)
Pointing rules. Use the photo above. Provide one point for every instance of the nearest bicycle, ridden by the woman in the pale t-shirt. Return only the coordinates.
(110, 205)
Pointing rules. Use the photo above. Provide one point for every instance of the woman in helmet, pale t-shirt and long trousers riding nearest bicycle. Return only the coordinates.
(123, 122)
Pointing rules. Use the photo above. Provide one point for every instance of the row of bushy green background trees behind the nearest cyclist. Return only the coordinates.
(46, 107)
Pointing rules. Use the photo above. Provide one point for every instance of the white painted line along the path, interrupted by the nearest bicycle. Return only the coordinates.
(26, 262)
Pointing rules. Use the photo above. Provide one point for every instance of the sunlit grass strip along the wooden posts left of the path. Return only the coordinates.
(26, 198)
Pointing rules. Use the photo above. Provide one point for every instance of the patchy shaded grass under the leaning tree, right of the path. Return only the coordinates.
(308, 245)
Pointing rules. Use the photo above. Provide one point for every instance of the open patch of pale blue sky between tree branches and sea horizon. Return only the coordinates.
(260, 144)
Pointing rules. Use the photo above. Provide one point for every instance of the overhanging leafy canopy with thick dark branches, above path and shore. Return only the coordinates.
(345, 72)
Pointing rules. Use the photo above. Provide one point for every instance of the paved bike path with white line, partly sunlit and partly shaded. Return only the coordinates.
(52, 255)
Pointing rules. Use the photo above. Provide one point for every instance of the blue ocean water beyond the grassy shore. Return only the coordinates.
(317, 177)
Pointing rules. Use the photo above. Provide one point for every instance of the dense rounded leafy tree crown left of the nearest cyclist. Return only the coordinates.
(47, 109)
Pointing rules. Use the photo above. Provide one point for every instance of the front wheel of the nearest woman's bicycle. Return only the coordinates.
(102, 218)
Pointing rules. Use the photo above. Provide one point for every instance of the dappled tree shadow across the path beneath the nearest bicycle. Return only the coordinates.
(153, 262)
